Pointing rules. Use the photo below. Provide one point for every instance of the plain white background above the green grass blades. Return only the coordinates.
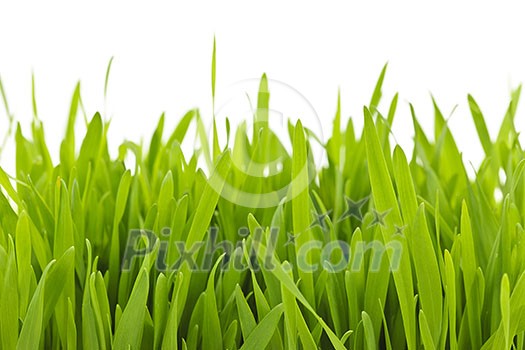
(163, 51)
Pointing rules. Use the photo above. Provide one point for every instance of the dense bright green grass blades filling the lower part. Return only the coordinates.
(373, 250)
